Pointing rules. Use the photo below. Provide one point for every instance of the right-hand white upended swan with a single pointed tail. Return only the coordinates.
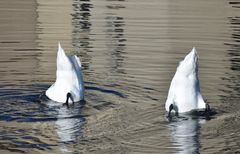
(184, 92)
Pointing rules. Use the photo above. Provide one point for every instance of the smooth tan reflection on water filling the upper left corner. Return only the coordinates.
(18, 47)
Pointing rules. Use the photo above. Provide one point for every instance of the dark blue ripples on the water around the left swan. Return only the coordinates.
(23, 105)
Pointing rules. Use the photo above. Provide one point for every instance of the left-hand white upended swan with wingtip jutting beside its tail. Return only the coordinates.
(69, 80)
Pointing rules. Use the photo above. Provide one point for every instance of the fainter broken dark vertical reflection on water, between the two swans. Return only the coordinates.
(116, 42)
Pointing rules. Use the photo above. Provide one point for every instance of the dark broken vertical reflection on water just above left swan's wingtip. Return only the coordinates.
(81, 30)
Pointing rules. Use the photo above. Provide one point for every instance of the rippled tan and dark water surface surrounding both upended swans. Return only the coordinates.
(129, 52)
